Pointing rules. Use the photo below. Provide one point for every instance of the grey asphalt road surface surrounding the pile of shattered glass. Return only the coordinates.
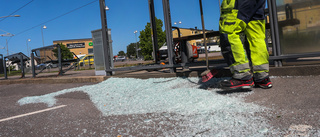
(293, 102)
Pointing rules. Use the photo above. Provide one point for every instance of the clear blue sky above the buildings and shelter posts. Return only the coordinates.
(123, 18)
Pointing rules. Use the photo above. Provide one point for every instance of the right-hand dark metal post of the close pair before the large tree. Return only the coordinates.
(168, 27)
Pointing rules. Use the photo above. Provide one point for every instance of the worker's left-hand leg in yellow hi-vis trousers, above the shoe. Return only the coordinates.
(231, 46)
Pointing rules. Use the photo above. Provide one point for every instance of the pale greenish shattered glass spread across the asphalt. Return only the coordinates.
(178, 103)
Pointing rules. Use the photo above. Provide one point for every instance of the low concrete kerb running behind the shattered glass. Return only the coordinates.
(304, 70)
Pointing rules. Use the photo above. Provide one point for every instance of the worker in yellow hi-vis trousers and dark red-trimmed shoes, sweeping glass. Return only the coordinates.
(246, 16)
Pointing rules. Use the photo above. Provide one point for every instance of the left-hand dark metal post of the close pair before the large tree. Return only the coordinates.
(154, 31)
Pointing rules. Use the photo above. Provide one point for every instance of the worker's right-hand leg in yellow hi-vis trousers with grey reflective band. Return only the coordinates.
(259, 55)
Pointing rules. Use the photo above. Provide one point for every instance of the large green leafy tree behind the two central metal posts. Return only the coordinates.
(146, 39)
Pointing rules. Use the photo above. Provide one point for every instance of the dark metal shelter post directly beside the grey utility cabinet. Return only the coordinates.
(105, 38)
